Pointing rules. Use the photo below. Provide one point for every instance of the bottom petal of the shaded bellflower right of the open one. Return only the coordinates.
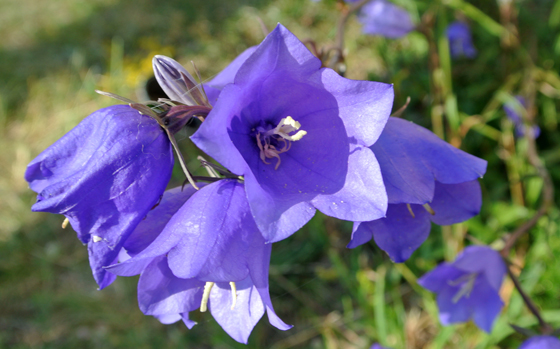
(399, 234)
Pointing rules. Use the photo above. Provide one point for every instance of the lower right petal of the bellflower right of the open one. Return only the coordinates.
(455, 203)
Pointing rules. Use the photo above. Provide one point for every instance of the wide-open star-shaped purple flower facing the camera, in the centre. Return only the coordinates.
(298, 134)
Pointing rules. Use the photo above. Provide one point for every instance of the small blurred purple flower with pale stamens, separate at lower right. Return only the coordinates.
(469, 287)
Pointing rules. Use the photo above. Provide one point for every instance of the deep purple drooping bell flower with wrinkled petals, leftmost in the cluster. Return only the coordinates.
(104, 176)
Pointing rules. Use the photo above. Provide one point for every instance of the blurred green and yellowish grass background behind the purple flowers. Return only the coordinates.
(54, 54)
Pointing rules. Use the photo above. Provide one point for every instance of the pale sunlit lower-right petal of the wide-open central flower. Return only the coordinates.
(363, 197)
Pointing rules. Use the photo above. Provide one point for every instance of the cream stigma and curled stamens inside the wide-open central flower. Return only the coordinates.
(278, 140)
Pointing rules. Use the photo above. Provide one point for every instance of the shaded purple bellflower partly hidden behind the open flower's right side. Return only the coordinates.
(427, 180)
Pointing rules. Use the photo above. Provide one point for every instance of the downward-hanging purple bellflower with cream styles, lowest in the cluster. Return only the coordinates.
(204, 252)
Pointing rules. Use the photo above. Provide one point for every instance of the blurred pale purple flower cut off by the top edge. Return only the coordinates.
(381, 17)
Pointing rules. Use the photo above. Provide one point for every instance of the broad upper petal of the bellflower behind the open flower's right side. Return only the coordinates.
(411, 158)
